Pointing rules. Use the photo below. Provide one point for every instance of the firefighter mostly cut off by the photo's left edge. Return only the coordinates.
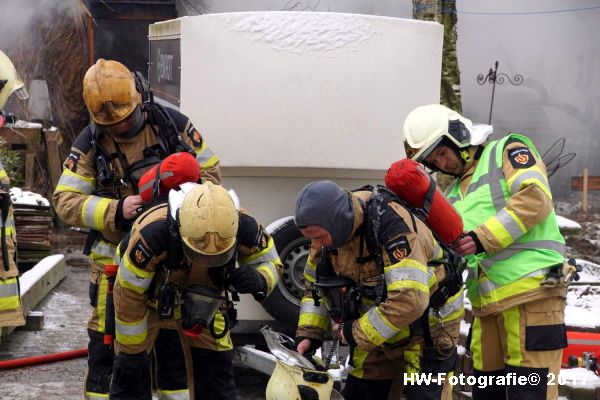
(11, 313)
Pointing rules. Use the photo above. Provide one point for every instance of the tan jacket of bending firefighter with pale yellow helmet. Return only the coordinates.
(142, 270)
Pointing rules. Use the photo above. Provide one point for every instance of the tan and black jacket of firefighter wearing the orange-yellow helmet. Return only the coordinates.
(81, 198)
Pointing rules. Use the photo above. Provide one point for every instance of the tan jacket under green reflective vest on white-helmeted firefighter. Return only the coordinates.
(504, 197)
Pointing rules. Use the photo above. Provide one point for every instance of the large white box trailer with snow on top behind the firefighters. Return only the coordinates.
(285, 98)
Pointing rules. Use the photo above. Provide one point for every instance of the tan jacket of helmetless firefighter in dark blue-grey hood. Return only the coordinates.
(407, 245)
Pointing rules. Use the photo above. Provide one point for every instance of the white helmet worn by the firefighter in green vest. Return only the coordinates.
(428, 126)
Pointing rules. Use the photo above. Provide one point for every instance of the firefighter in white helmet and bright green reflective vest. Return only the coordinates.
(512, 242)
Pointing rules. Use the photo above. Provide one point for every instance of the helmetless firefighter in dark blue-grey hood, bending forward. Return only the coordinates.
(391, 330)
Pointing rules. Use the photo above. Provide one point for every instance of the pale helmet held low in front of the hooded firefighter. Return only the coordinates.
(295, 377)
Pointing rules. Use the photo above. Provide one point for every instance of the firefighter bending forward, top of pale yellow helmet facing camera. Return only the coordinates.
(176, 269)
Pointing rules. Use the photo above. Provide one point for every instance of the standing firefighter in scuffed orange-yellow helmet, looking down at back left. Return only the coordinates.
(98, 186)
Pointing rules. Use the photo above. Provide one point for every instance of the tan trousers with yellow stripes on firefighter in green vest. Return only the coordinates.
(522, 341)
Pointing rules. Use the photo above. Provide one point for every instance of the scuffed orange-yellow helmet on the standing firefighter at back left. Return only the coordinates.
(109, 92)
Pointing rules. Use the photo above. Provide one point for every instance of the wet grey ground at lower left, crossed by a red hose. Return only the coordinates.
(66, 310)
